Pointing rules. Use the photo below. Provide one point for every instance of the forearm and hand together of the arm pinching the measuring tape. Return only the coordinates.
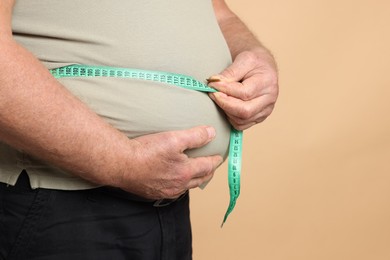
(248, 88)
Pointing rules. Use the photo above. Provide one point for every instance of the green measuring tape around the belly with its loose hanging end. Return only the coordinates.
(235, 147)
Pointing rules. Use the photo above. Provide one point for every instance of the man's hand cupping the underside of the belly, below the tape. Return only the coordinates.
(160, 167)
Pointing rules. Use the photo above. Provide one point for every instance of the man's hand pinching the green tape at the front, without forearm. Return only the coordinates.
(248, 88)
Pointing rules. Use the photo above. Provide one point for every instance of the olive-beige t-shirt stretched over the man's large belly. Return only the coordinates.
(173, 35)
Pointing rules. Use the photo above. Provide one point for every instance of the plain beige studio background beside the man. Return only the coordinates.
(316, 174)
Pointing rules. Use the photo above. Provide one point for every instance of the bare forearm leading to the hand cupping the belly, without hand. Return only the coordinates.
(42, 118)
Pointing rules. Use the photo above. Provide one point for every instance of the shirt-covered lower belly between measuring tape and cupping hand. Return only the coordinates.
(138, 107)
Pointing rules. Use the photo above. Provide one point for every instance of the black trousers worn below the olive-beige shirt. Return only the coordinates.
(101, 223)
